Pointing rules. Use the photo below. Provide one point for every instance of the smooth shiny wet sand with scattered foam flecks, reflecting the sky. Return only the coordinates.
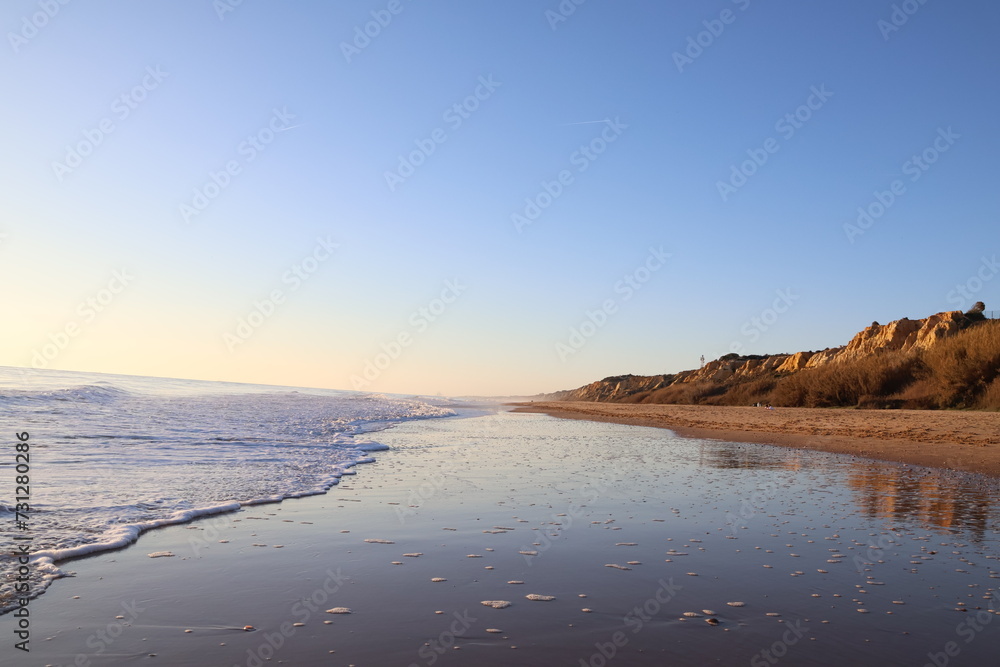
(640, 537)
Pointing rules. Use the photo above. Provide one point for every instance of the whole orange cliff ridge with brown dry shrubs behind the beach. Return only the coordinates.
(957, 369)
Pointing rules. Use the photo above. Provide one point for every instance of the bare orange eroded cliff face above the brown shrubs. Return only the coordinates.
(903, 335)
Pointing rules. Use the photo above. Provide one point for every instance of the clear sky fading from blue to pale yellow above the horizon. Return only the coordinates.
(485, 198)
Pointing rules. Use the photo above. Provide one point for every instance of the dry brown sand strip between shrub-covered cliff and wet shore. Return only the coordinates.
(957, 440)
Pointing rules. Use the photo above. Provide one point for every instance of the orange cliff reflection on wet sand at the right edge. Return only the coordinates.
(933, 497)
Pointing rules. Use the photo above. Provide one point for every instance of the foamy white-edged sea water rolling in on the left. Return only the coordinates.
(112, 456)
